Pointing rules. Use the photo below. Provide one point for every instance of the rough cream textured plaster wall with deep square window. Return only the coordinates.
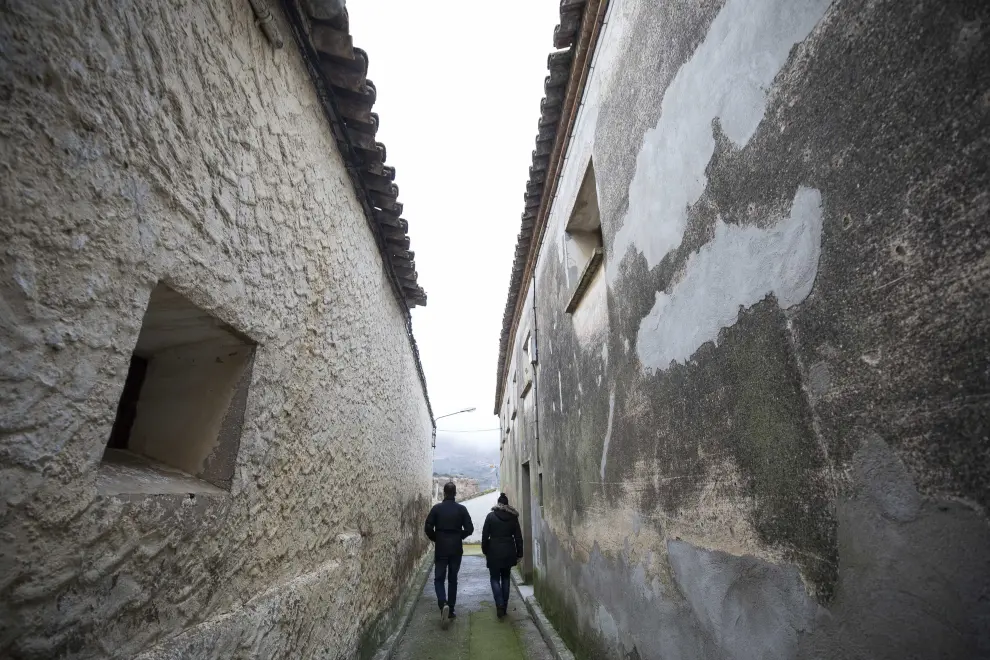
(167, 141)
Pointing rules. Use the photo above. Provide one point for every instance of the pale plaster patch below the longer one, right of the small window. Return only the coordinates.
(739, 267)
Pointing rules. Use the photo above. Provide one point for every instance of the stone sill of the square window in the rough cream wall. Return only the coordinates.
(126, 473)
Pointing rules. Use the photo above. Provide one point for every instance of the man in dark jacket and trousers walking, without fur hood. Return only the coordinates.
(448, 524)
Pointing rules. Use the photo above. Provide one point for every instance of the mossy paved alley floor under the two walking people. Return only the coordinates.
(476, 634)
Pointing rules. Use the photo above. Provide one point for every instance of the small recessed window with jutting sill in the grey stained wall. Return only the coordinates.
(583, 239)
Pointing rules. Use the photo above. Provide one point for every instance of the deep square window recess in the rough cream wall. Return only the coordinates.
(180, 414)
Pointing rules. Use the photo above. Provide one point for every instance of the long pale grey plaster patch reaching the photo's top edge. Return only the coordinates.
(727, 78)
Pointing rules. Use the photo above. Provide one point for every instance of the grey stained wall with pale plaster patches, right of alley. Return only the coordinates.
(765, 437)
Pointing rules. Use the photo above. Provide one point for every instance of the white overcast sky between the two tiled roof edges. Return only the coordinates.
(459, 86)
